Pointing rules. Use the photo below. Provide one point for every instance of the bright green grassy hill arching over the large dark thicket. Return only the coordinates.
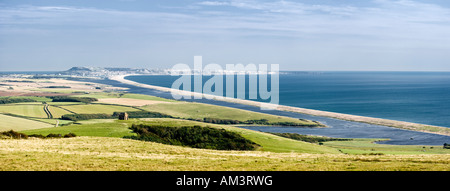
(118, 128)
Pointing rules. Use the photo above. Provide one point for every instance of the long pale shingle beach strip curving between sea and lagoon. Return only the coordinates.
(348, 117)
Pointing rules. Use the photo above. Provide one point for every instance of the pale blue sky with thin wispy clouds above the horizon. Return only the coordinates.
(307, 35)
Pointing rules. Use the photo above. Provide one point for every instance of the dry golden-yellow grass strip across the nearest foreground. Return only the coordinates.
(111, 154)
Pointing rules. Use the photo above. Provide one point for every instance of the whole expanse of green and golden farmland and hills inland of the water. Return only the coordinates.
(65, 125)
